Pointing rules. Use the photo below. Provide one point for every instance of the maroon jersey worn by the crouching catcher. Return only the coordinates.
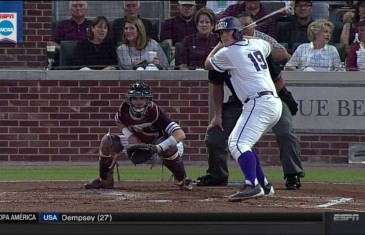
(150, 127)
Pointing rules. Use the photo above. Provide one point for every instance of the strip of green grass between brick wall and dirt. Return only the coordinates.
(330, 175)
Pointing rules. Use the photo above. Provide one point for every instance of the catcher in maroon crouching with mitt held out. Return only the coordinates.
(147, 131)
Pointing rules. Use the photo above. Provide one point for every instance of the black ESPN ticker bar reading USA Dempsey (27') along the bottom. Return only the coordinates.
(186, 223)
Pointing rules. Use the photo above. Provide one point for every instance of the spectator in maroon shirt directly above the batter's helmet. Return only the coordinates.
(257, 10)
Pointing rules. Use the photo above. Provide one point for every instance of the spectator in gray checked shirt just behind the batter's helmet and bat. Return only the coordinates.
(278, 52)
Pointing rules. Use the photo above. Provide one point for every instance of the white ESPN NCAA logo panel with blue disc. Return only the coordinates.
(7, 27)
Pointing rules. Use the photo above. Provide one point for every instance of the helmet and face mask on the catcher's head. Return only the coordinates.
(136, 90)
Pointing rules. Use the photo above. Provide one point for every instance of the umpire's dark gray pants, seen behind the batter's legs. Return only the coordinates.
(217, 148)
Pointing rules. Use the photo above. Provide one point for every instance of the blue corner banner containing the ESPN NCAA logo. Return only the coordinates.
(11, 22)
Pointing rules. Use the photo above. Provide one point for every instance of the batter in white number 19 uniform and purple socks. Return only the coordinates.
(245, 59)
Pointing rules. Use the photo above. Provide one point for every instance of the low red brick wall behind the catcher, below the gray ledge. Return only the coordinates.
(64, 120)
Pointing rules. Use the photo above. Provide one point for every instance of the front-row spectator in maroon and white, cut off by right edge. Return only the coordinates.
(355, 60)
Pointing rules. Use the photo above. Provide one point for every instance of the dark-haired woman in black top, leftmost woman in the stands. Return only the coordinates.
(97, 51)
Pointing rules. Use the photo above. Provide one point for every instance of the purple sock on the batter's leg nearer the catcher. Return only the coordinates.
(247, 163)
